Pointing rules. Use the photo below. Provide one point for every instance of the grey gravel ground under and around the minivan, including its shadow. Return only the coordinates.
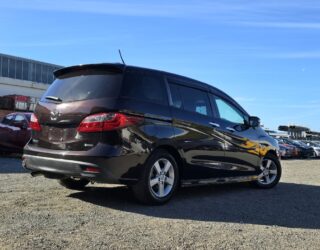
(37, 213)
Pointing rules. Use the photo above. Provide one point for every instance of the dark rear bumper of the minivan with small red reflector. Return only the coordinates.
(111, 166)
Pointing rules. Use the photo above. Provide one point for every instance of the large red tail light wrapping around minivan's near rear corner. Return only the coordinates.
(106, 122)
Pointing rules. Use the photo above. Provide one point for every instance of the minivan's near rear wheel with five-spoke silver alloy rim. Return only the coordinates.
(159, 179)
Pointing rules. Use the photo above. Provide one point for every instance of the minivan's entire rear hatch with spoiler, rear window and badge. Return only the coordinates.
(77, 92)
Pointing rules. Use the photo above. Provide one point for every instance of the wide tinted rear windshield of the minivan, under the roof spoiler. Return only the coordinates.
(84, 87)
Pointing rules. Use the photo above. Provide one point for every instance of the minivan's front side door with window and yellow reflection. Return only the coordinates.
(242, 147)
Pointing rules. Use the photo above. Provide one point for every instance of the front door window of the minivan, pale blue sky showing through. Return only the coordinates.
(228, 112)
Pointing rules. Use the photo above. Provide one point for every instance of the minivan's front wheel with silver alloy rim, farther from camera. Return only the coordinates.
(272, 166)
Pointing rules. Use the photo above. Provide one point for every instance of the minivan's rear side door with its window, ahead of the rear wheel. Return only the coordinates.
(200, 143)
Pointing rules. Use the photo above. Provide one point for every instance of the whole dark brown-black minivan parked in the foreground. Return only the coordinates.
(148, 129)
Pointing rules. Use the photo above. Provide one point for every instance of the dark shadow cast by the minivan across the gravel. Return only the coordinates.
(287, 205)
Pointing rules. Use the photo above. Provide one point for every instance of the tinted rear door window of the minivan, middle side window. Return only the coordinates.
(190, 99)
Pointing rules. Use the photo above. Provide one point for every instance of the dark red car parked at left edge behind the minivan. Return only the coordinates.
(14, 132)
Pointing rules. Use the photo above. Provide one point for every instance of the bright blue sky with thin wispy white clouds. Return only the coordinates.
(265, 54)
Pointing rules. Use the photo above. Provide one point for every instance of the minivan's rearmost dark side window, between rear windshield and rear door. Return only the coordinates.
(144, 87)
